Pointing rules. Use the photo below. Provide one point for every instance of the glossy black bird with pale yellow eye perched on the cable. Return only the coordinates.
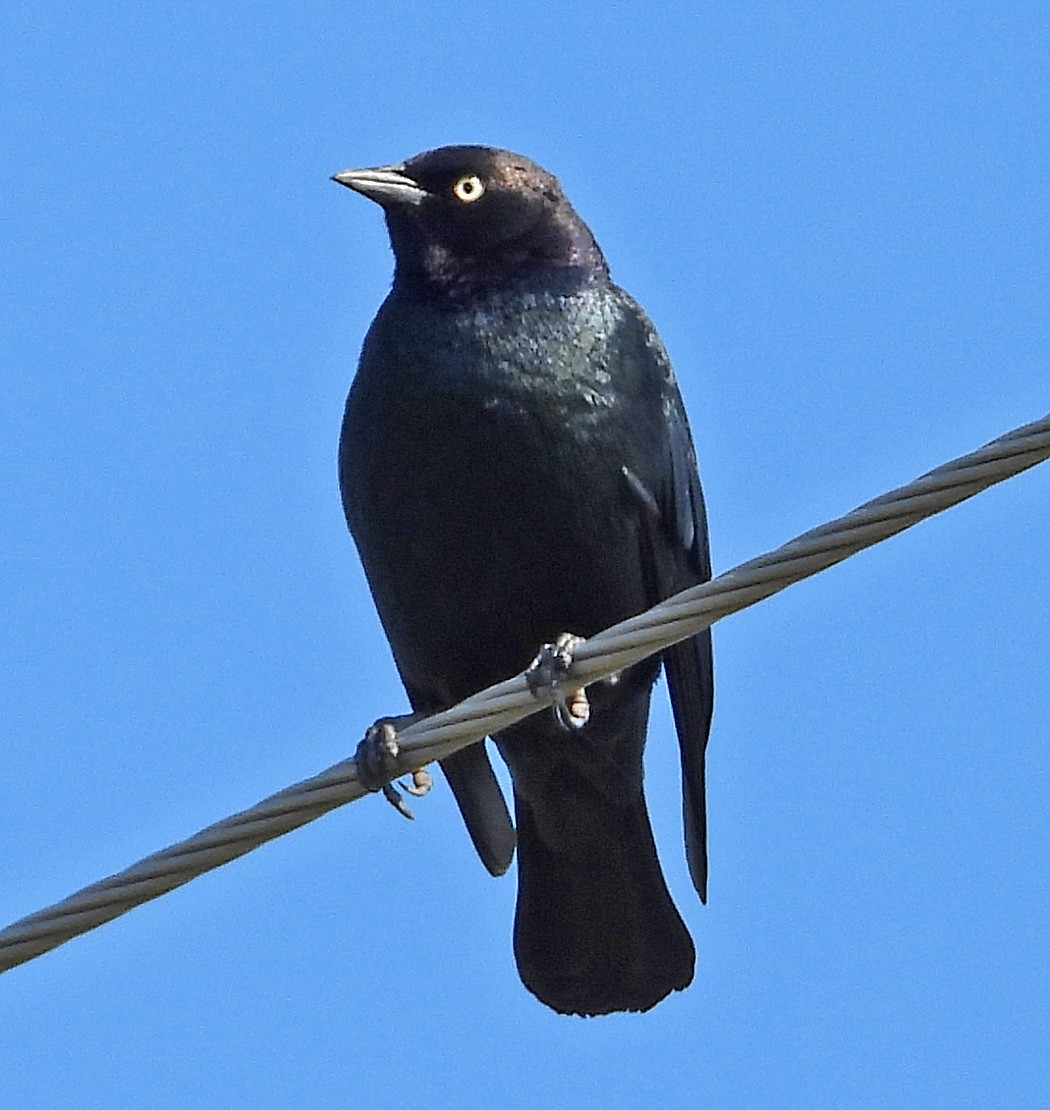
(518, 470)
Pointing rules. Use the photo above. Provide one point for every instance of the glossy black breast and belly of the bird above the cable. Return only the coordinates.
(482, 473)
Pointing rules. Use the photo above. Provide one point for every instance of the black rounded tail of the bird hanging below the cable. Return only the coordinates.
(597, 931)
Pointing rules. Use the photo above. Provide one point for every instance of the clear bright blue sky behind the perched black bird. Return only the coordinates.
(837, 217)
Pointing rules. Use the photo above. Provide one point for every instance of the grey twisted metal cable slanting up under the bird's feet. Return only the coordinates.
(492, 710)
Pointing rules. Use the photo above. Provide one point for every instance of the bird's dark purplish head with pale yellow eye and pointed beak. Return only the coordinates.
(467, 219)
